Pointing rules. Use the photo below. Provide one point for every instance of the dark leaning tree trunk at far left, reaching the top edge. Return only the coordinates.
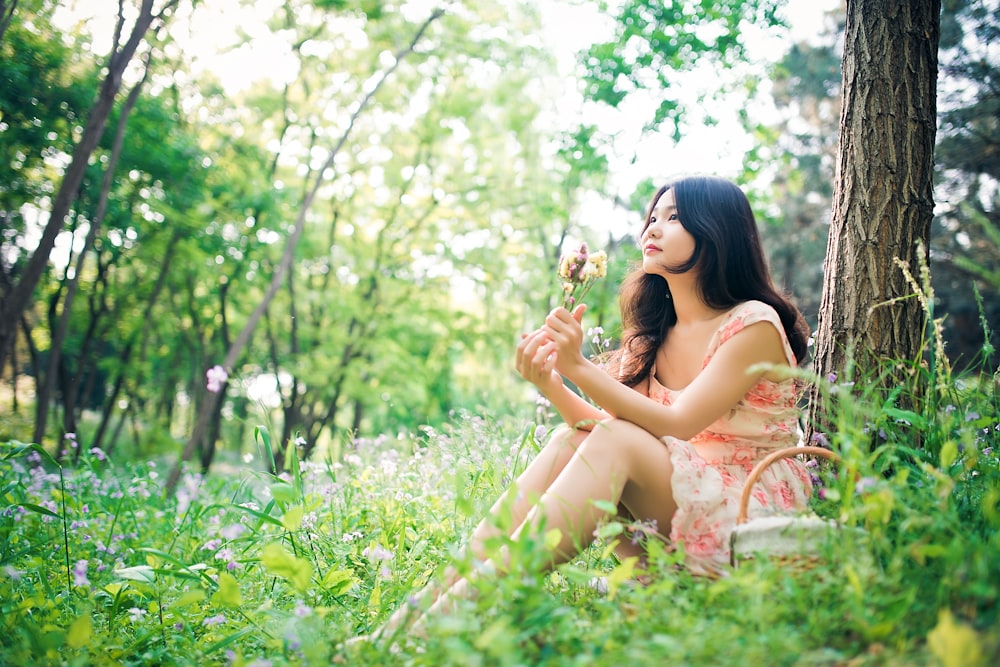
(20, 296)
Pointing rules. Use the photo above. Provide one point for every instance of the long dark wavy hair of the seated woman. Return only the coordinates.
(731, 269)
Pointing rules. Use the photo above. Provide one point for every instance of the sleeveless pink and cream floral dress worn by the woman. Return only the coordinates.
(710, 469)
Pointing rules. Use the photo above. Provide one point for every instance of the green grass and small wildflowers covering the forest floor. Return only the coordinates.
(96, 567)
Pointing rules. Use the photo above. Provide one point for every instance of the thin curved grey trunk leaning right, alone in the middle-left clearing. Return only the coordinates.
(213, 401)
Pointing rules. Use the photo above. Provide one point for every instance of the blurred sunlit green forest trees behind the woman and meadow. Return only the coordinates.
(411, 179)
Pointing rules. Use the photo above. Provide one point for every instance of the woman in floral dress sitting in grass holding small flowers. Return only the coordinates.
(699, 393)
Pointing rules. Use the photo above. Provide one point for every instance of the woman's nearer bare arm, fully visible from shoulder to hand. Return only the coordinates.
(712, 394)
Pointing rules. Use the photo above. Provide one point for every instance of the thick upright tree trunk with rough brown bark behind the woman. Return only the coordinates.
(883, 200)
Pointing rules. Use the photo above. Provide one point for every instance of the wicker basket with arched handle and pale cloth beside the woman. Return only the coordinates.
(795, 541)
